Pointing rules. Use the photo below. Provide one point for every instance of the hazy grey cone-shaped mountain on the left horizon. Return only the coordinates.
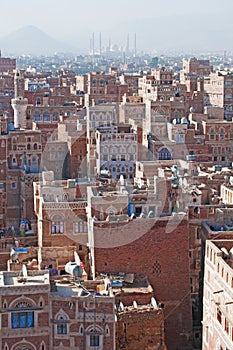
(30, 40)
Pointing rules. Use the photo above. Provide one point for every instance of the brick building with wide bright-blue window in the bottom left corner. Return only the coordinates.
(25, 315)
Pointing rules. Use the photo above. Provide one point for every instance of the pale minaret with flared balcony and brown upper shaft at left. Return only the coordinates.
(19, 103)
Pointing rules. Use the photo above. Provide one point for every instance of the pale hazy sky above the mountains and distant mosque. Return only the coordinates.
(76, 20)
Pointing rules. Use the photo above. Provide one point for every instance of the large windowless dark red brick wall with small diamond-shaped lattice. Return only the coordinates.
(158, 248)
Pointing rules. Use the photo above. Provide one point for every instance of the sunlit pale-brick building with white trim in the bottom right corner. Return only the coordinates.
(217, 298)
